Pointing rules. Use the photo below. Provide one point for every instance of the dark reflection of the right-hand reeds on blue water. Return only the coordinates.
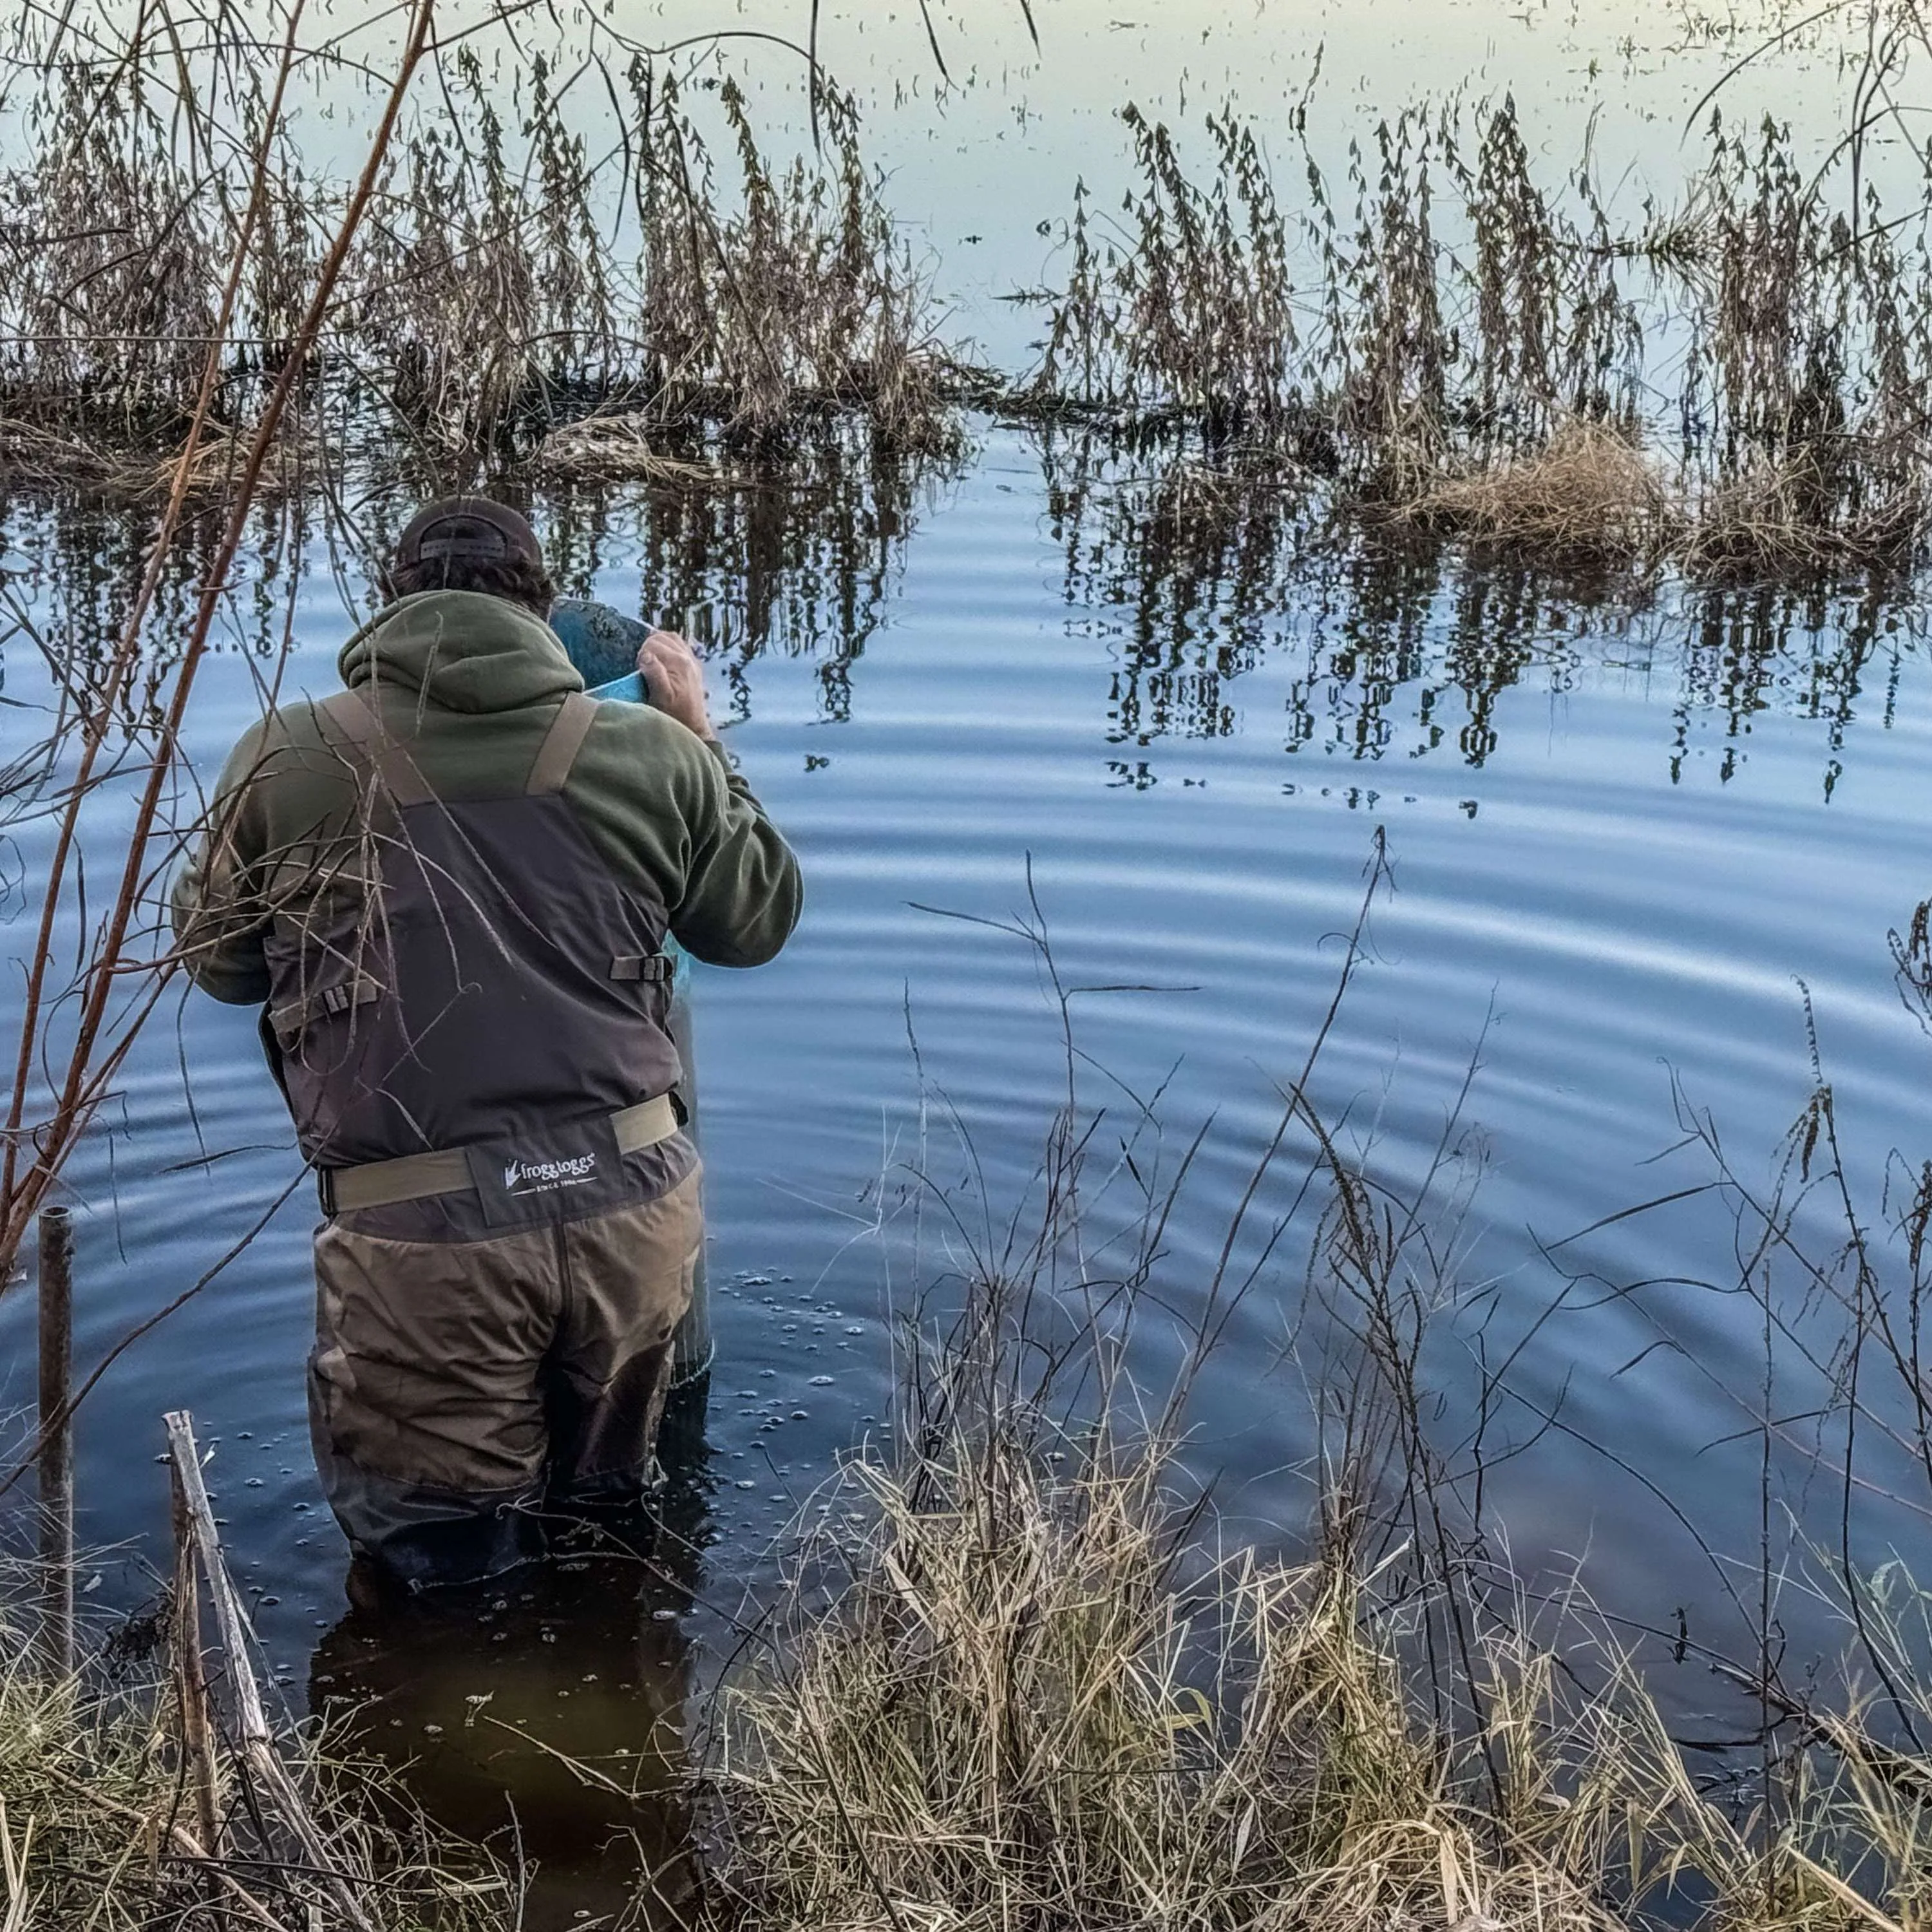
(1406, 639)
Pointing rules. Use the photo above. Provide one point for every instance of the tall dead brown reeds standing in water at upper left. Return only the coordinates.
(515, 273)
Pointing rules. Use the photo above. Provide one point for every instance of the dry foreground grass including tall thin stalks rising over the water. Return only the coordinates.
(1023, 1678)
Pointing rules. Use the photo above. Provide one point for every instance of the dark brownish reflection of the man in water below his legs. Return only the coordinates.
(546, 1715)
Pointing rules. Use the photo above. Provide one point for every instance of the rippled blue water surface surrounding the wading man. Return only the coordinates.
(1618, 849)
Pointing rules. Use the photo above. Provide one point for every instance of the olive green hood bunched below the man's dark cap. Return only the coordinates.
(463, 652)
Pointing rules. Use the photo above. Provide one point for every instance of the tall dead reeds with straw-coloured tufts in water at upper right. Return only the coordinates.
(1734, 385)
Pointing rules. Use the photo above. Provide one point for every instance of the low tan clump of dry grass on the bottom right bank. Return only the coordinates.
(1042, 1701)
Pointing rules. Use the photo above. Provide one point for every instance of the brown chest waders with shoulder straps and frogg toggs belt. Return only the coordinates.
(472, 1037)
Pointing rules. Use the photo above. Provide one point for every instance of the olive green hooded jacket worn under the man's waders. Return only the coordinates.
(470, 687)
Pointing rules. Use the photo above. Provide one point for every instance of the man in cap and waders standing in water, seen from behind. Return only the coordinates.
(449, 888)
